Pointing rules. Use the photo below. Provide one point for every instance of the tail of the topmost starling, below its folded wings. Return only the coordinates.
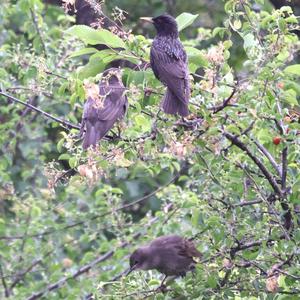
(172, 105)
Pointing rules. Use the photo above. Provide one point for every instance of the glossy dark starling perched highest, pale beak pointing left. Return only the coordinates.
(169, 63)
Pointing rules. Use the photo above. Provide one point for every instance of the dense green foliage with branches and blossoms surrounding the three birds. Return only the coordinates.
(230, 179)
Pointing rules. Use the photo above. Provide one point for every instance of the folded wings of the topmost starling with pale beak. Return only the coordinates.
(172, 71)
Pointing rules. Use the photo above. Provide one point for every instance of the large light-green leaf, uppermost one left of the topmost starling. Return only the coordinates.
(94, 37)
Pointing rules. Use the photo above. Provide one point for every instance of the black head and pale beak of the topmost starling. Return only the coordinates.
(165, 25)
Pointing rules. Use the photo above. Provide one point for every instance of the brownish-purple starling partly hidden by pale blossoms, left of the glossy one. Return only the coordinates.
(99, 115)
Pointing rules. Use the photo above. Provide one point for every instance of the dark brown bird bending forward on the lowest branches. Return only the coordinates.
(170, 255)
